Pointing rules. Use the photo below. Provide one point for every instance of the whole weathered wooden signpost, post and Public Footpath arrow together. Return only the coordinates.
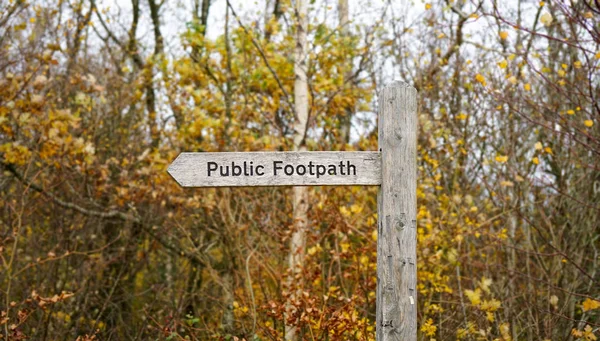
(393, 167)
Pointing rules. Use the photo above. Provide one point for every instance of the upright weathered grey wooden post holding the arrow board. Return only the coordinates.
(397, 214)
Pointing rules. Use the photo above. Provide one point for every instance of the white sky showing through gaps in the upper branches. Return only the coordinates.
(406, 13)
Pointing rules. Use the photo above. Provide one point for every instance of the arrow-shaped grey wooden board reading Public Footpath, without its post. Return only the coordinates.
(191, 169)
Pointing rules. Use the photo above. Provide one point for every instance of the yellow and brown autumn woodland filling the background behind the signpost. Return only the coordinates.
(97, 242)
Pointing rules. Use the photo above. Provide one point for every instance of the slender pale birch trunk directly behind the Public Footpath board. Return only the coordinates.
(298, 240)
